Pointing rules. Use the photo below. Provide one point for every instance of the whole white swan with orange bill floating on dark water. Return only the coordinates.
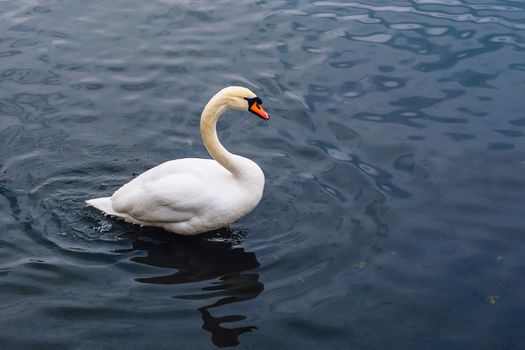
(192, 195)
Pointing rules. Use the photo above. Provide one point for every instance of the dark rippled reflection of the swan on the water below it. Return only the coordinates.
(212, 256)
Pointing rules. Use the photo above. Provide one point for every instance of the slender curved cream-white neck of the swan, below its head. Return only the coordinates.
(211, 113)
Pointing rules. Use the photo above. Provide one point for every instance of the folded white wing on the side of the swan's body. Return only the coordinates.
(175, 198)
